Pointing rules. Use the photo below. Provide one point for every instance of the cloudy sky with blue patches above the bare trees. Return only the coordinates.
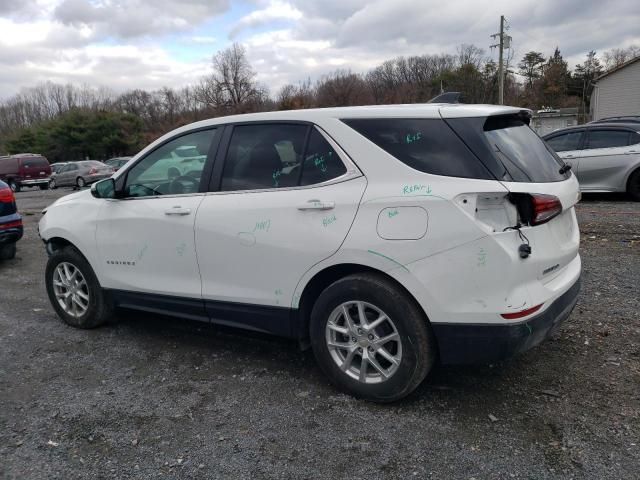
(125, 44)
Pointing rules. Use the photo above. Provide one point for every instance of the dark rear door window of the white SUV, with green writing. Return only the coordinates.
(270, 156)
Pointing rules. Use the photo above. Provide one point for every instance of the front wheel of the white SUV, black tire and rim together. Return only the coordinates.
(98, 308)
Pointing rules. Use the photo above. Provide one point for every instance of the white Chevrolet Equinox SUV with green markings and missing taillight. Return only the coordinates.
(385, 237)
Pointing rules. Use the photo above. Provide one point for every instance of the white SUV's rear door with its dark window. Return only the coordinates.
(283, 198)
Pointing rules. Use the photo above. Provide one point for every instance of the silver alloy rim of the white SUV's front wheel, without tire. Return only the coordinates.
(71, 289)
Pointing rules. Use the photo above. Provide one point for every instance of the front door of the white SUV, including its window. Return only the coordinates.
(146, 240)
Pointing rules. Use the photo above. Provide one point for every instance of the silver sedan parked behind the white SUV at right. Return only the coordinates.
(605, 157)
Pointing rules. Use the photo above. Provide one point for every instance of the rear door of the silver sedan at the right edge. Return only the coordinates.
(605, 159)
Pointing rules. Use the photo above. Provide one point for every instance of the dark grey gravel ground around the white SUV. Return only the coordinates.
(151, 397)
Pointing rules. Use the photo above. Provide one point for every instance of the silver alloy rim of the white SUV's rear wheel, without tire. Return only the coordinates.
(363, 342)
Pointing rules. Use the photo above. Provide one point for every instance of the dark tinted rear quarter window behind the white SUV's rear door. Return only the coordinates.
(426, 145)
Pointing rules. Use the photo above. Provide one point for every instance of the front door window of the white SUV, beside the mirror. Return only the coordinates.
(174, 168)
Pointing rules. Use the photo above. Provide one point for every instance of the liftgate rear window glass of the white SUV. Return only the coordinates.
(525, 157)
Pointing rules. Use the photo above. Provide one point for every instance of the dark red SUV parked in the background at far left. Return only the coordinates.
(25, 170)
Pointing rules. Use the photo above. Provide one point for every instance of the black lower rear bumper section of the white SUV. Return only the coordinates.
(468, 343)
